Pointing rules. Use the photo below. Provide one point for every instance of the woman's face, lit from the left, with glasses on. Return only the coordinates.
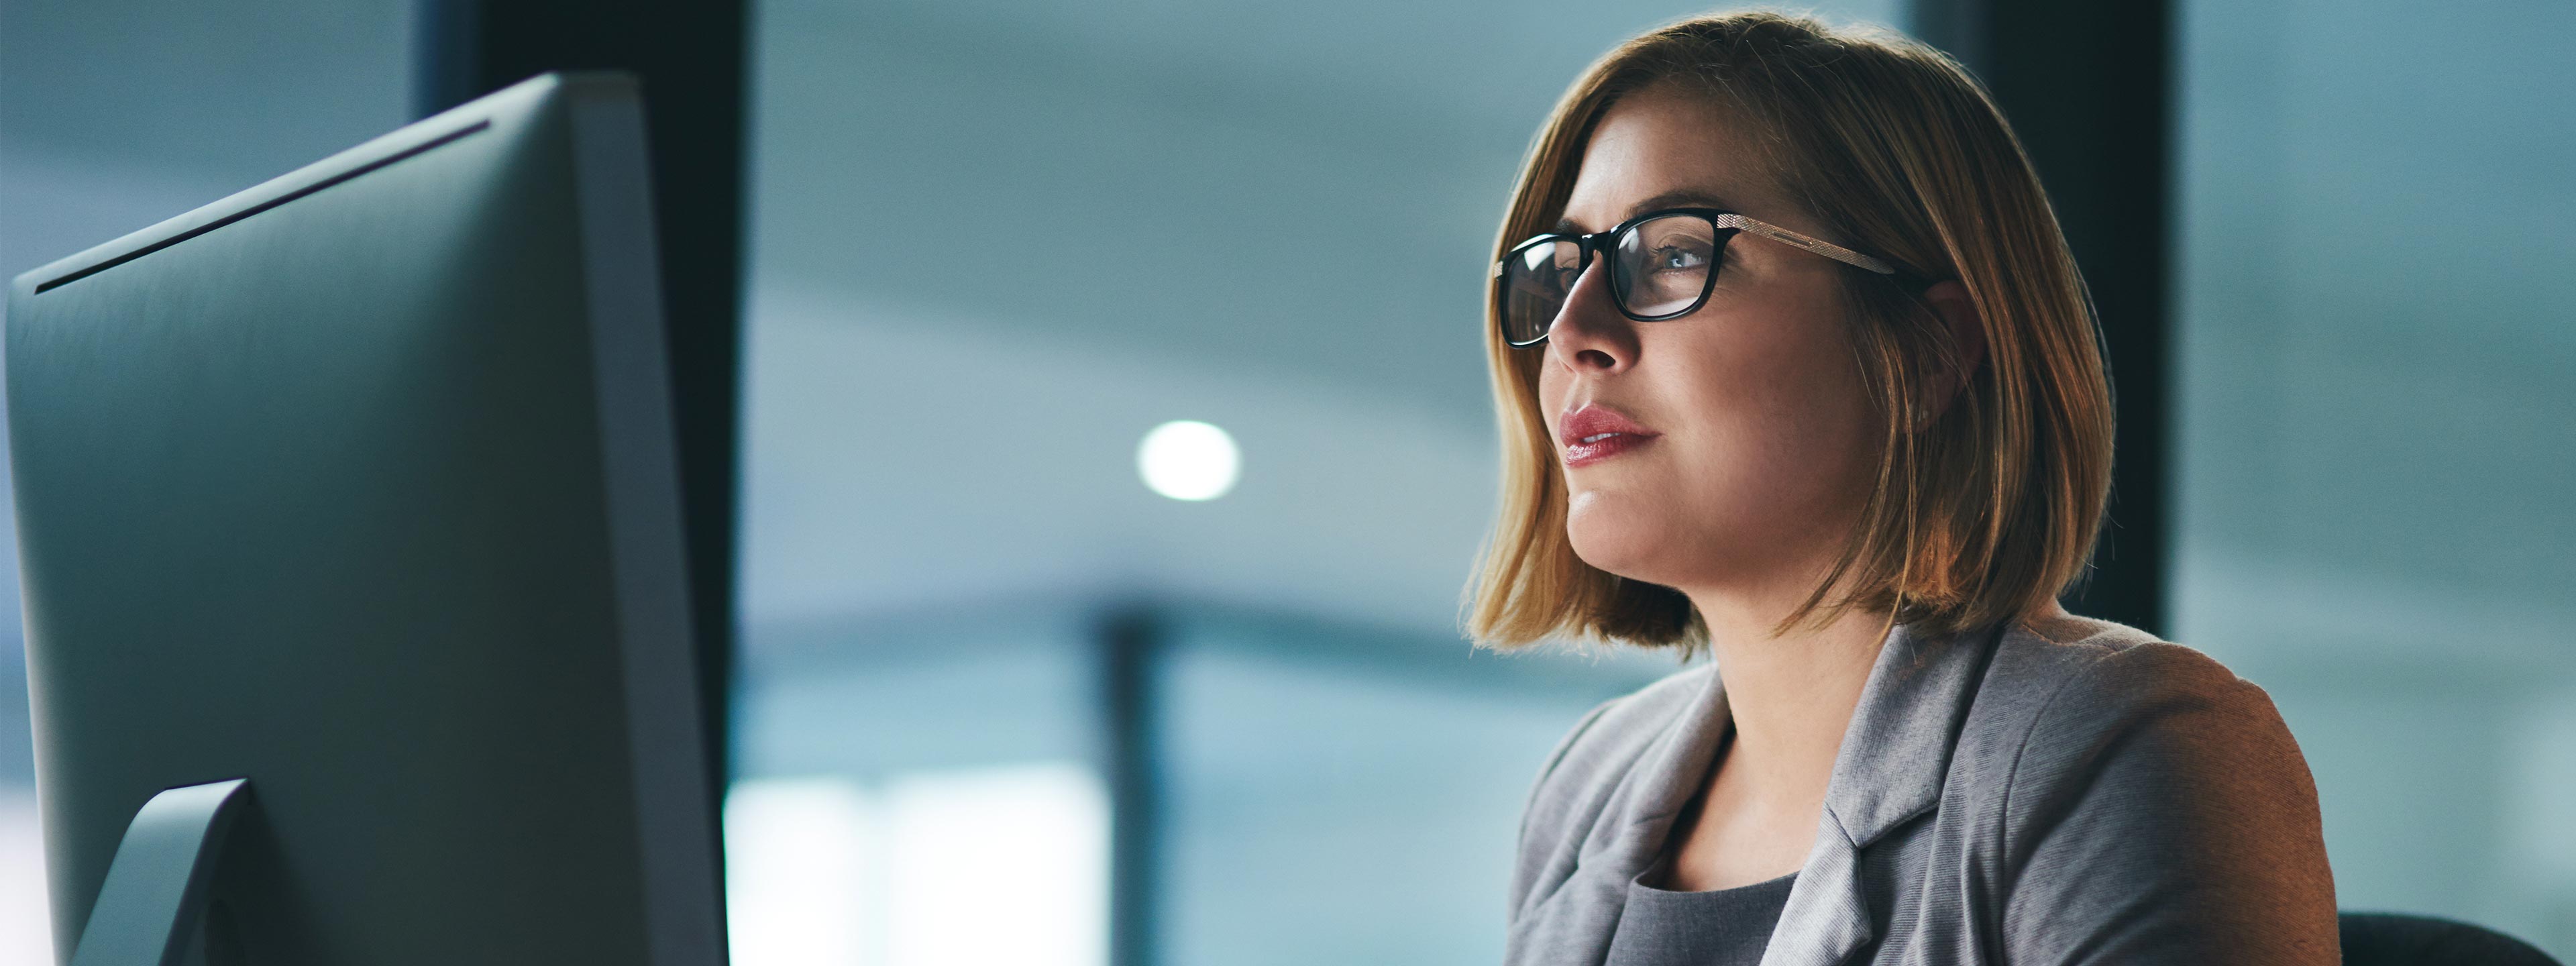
(1753, 437)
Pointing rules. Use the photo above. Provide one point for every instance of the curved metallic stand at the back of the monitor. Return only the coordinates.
(153, 905)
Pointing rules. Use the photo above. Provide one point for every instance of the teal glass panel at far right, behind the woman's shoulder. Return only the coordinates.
(2376, 429)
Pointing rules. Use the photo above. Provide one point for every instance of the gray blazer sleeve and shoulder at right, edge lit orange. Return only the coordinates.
(2147, 805)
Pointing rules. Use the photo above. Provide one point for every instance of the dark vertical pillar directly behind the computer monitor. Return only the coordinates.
(689, 58)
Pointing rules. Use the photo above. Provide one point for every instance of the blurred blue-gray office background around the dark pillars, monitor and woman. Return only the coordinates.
(990, 246)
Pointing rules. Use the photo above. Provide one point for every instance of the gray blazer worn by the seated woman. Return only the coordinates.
(2054, 792)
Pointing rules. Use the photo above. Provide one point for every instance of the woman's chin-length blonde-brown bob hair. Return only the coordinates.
(1980, 514)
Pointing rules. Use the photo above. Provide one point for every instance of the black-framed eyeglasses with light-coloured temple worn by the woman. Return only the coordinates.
(1663, 267)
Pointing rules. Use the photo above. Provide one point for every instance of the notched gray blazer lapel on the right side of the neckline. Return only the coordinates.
(1887, 774)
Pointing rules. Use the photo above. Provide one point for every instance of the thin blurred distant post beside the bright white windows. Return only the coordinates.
(1130, 645)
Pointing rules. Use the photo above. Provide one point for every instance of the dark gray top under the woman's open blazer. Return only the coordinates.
(1696, 929)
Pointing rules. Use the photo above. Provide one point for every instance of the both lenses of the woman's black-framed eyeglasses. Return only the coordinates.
(1658, 269)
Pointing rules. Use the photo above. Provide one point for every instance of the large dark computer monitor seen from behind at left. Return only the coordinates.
(359, 488)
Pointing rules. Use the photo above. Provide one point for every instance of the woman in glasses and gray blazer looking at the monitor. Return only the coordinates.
(1797, 370)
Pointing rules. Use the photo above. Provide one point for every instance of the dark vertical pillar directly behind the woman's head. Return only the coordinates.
(2088, 89)
